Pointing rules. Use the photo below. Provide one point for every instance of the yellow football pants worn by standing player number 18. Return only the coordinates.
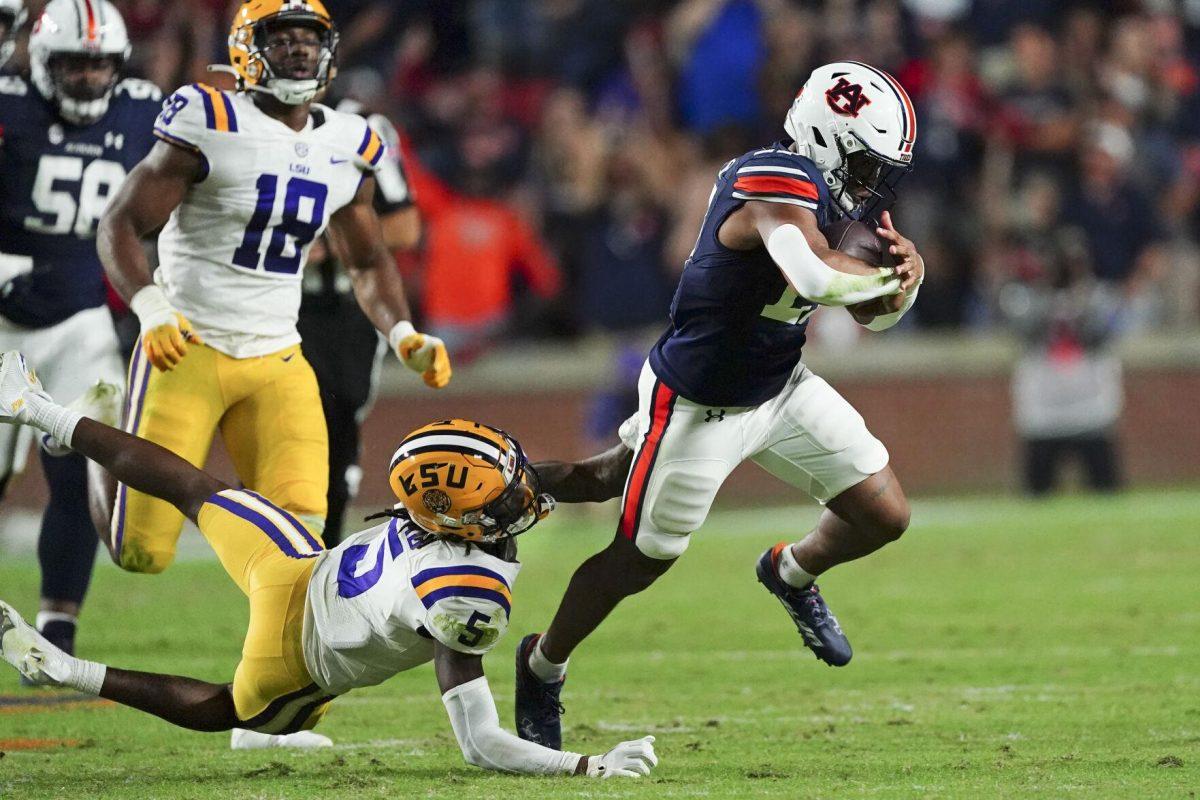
(268, 411)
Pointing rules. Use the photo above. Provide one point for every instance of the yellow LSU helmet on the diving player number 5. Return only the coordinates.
(467, 480)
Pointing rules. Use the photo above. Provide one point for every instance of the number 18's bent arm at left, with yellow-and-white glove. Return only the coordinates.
(142, 206)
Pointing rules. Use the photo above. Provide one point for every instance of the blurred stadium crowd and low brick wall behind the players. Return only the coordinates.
(562, 154)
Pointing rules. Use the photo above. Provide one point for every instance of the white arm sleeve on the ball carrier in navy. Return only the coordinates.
(817, 281)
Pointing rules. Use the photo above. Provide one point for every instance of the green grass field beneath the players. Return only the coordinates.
(1004, 648)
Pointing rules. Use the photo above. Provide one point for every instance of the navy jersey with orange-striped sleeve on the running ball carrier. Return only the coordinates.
(737, 327)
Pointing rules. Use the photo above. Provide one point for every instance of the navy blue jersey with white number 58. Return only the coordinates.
(56, 181)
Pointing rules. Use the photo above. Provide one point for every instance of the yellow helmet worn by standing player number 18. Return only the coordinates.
(248, 47)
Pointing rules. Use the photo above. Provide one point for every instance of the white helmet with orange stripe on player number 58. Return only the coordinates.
(89, 28)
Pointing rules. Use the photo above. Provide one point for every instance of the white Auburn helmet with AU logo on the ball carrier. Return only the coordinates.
(848, 109)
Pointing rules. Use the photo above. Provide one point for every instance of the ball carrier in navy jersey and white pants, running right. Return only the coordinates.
(725, 383)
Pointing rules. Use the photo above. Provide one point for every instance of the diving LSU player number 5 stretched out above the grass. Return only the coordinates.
(431, 584)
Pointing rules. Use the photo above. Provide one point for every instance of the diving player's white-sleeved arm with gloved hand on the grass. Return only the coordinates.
(485, 744)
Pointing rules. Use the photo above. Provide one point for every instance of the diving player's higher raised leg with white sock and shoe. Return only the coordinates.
(135, 462)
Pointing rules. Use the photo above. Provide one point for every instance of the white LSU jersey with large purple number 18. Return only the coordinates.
(233, 252)
